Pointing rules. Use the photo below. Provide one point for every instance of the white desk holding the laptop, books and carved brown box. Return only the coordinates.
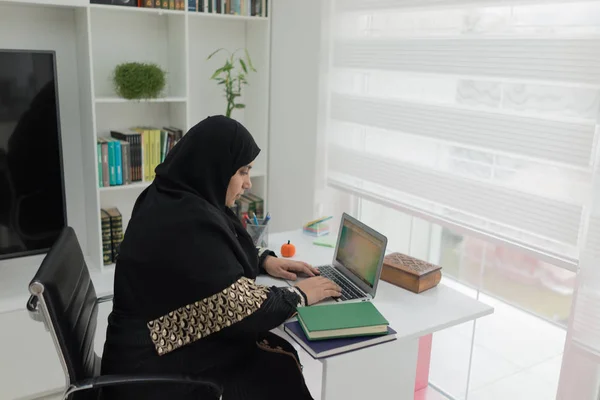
(386, 371)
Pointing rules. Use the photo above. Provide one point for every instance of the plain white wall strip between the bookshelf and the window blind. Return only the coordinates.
(295, 41)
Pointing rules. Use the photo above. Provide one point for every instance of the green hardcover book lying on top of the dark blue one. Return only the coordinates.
(342, 320)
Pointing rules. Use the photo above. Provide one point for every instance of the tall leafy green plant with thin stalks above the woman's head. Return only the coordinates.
(232, 76)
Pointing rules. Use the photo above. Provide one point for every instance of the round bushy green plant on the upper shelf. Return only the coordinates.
(134, 80)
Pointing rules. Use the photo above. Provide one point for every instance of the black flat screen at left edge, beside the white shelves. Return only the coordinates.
(32, 195)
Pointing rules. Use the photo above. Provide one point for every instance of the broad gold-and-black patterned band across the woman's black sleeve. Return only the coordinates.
(207, 316)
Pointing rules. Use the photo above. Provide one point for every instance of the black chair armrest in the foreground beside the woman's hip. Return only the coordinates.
(115, 380)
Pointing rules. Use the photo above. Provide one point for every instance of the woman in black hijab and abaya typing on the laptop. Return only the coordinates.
(185, 300)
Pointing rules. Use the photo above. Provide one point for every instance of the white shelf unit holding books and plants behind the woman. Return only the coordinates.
(179, 42)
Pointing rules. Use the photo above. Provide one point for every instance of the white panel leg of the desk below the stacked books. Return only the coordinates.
(382, 372)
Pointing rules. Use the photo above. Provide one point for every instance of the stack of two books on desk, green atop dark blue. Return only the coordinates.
(327, 330)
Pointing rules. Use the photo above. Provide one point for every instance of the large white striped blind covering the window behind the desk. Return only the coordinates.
(475, 114)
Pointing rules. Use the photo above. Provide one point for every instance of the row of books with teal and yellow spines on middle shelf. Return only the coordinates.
(132, 155)
